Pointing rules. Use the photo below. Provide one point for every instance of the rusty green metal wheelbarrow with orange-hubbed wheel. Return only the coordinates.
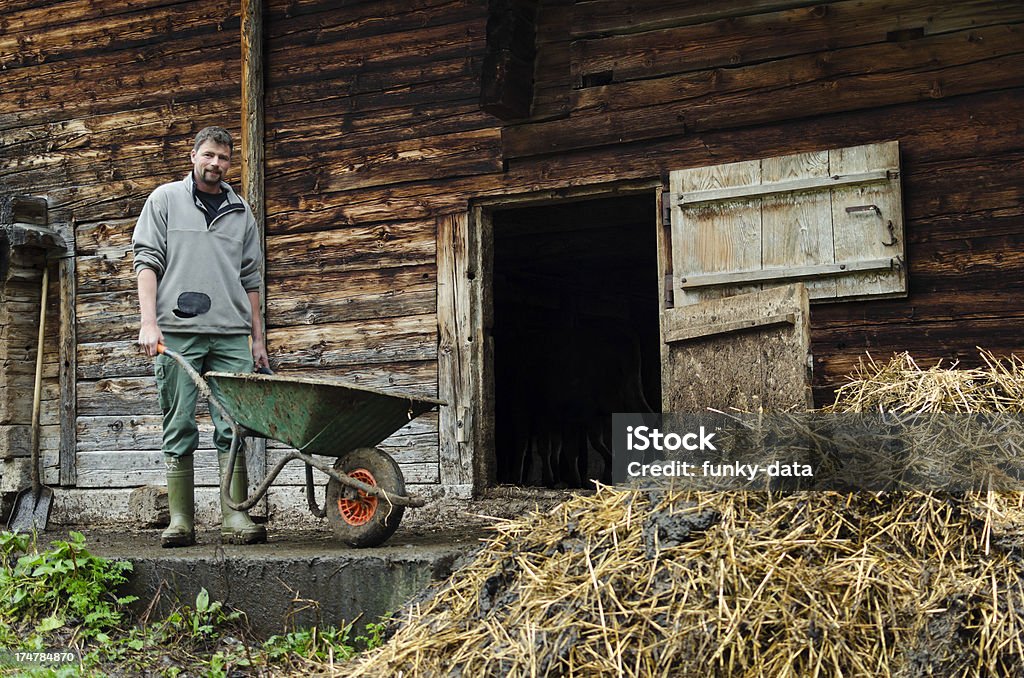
(366, 492)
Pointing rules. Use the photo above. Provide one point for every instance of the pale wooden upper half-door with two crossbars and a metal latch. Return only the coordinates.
(833, 220)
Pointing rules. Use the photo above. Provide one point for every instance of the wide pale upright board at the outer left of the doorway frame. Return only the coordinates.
(454, 352)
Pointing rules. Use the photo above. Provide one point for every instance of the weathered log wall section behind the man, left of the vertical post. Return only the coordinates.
(100, 106)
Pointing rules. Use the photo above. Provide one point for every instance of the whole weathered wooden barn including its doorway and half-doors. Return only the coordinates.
(523, 207)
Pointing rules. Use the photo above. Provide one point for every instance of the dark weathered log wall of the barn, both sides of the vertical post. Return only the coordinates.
(374, 130)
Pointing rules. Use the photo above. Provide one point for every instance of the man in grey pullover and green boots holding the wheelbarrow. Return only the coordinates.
(198, 260)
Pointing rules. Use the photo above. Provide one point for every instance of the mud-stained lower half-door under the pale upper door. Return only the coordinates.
(766, 367)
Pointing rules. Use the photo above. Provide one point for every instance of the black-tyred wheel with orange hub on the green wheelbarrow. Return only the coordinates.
(358, 519)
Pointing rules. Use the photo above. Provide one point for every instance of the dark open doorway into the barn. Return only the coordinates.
(576, 328)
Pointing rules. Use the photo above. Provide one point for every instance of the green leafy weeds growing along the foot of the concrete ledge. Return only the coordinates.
(64, 597)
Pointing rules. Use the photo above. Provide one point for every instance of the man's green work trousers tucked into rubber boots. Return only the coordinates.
(206, 353)
